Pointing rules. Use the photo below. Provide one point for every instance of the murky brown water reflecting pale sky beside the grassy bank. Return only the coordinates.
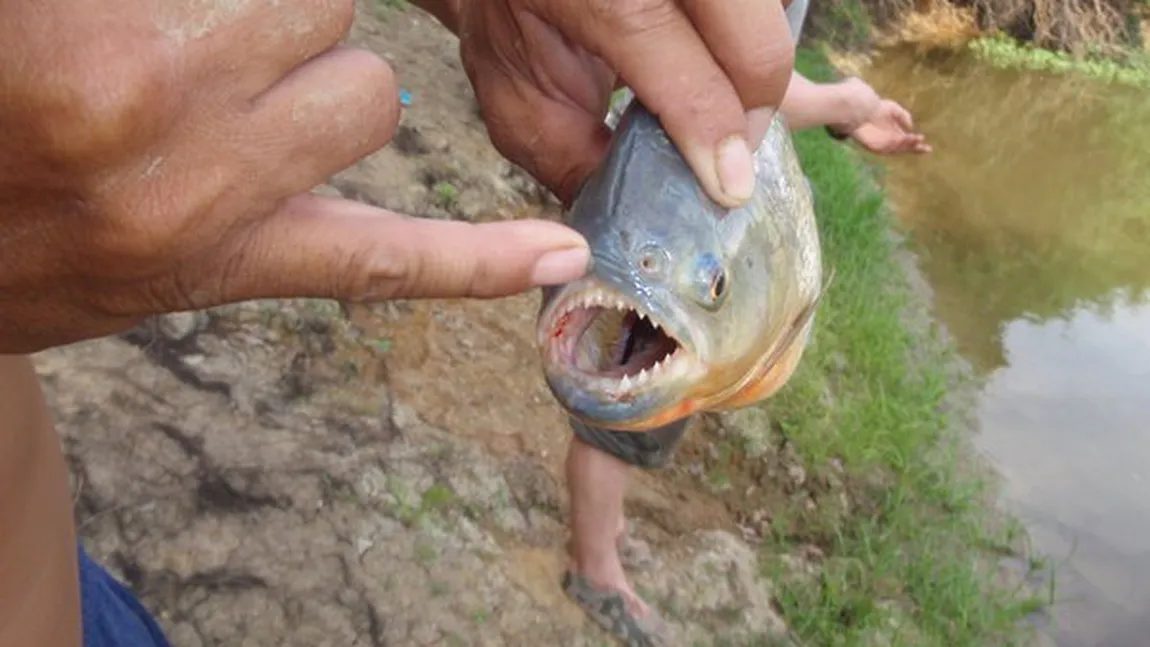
(1032, 220)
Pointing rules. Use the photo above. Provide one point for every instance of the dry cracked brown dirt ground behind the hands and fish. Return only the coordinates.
(287, 474)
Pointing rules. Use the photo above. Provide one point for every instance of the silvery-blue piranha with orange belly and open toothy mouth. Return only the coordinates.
(689, 306)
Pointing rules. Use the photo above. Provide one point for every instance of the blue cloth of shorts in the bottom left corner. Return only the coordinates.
(113, 617)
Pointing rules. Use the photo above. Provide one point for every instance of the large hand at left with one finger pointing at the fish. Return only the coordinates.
(162, 160)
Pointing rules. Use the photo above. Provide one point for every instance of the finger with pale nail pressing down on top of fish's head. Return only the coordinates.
(658, 52)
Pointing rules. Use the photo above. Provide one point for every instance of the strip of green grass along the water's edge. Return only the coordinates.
(904, 563)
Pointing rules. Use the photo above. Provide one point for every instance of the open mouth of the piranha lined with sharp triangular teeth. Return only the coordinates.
(608, 342)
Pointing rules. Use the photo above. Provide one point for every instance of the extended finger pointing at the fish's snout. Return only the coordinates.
(325, 248)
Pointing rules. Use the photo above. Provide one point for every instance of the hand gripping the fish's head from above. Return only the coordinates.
(543, 72)
